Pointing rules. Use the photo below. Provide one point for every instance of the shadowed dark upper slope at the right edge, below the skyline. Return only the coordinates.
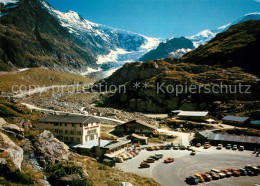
(238, 46)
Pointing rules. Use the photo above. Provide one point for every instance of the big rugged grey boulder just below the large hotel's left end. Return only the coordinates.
(49, 150)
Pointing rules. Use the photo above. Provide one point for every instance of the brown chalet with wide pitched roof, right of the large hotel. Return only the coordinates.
(135, 126)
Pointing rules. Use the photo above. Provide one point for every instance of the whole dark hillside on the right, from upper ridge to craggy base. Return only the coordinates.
(152, 86)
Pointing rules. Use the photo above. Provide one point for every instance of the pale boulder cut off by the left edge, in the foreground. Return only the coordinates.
(11, 155)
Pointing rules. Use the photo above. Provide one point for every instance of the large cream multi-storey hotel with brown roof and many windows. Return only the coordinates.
(71, 128)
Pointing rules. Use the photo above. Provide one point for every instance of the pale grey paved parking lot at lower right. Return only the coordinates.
(186, 165)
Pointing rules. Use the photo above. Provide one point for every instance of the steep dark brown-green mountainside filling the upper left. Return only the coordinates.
(31, 37)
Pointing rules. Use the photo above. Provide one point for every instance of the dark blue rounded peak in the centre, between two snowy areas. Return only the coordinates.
(169, 49)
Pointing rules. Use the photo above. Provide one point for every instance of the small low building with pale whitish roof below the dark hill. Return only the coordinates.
(193, 115)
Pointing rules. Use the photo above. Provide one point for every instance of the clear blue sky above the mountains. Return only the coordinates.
(160, 18)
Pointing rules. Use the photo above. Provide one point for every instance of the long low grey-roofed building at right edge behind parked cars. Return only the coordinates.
(249, 142)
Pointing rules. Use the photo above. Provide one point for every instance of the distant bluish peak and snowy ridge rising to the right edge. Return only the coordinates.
(171, 49)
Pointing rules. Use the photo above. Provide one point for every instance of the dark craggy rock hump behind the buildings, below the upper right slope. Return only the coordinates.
(159, 72)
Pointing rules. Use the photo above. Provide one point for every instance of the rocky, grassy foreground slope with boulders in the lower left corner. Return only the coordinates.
(31, 158)
